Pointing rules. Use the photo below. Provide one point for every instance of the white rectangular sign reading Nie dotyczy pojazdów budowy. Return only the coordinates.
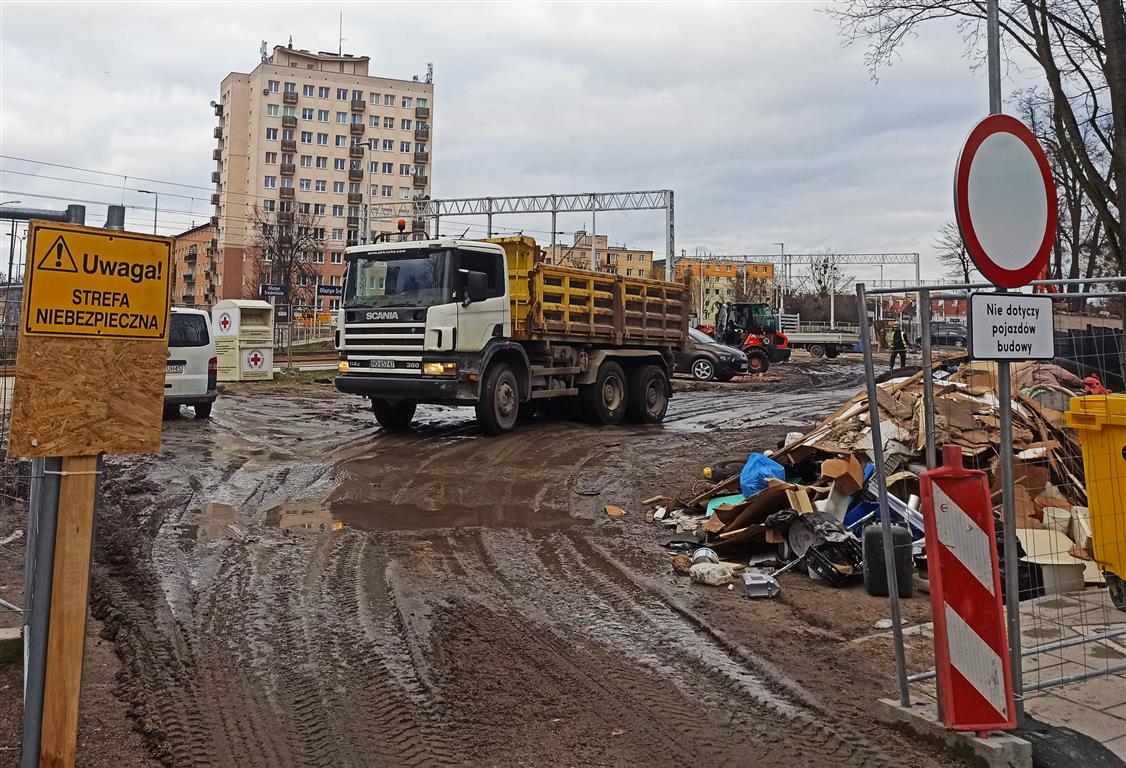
(1011, 327)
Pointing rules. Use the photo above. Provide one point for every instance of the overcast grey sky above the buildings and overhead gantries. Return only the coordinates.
(765, 126)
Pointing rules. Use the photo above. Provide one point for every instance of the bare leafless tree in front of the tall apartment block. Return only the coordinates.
(285, 245)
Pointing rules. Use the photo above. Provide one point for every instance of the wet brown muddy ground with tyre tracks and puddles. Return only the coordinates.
(287, 585)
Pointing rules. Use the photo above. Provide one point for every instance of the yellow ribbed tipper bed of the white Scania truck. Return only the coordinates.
(552, 303)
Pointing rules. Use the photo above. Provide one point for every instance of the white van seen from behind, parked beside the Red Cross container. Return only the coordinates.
(193, 367)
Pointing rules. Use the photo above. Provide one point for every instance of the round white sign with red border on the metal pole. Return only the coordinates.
(1006, 203)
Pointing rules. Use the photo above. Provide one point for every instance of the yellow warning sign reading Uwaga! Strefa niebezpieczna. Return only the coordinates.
(96, 283)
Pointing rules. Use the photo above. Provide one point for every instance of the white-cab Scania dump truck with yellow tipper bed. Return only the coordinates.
(488, 324)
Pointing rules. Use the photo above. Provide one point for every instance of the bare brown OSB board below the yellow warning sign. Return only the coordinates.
(85, 397)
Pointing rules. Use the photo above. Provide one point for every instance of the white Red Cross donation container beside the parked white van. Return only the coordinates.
(244, 340)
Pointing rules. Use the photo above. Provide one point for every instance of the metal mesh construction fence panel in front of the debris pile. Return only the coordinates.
(1057, 469)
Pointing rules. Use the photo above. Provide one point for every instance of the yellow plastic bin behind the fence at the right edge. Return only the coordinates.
(1102, 424)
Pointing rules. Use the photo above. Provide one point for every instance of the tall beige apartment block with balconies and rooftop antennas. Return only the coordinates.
(314, 135)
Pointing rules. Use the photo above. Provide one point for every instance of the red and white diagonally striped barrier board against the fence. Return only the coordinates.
(971, 650)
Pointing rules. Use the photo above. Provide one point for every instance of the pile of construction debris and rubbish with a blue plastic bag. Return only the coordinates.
(812, 503)
